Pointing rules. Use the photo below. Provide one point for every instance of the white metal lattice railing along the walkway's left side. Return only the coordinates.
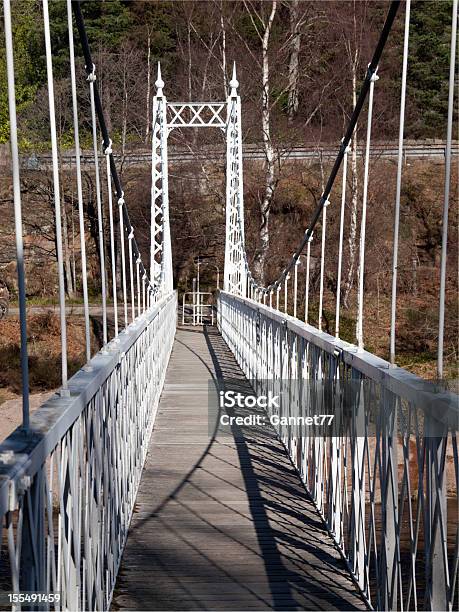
(67, 491)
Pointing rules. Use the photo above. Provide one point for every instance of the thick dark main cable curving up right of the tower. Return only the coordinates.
(372, 68)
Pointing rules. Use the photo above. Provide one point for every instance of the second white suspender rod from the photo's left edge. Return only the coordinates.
(57, 199)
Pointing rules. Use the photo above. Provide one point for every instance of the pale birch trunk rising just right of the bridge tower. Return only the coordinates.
(270, 178)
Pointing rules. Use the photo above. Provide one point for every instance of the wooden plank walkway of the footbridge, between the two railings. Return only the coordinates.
(223, 522)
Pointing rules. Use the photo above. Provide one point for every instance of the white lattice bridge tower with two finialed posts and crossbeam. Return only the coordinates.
(166, 117)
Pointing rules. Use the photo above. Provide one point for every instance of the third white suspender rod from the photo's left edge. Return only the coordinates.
(84, 275)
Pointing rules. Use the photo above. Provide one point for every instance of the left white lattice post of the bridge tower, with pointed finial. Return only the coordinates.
(160, 248)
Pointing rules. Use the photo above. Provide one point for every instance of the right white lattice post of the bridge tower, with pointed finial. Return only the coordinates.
(235, 276)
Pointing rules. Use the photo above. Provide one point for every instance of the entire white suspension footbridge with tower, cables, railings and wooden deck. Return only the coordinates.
(133, 487)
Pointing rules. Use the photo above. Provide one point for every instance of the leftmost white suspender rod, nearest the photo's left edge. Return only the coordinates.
(17, 213)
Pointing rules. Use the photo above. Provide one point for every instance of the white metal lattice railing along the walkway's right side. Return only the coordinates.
(384, 477)
